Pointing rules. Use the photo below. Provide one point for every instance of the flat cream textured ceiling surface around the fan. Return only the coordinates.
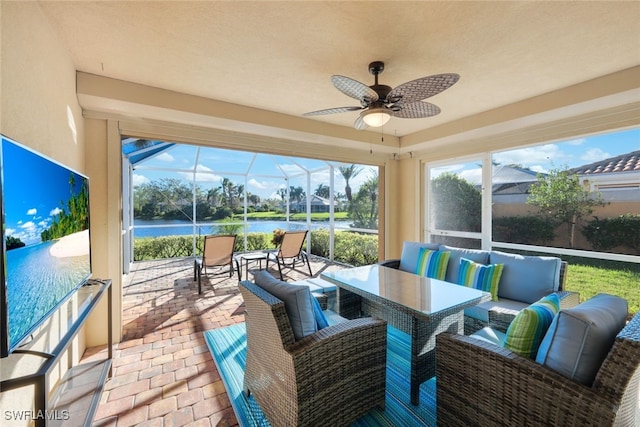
(279, 56)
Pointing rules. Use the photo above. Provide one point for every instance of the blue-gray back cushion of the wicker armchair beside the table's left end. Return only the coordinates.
(297, 302)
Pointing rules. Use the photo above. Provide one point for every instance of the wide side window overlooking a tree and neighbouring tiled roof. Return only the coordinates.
(578, 195)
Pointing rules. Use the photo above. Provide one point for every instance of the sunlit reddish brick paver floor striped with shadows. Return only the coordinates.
(163, 373)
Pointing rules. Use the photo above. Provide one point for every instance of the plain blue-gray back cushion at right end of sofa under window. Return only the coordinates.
(526, 278)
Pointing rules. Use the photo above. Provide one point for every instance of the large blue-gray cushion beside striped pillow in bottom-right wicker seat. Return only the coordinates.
(579, 338)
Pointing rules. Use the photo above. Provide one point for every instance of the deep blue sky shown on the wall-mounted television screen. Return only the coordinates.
(33, 189)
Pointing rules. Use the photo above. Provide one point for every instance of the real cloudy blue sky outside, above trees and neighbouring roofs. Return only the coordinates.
(267, 171)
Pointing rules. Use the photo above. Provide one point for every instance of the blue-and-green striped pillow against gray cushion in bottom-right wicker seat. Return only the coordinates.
(526, 331)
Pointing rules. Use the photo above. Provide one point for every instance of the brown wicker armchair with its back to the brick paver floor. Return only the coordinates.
(331, 377)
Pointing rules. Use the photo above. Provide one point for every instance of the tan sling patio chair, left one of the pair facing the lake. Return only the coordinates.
(217, 252)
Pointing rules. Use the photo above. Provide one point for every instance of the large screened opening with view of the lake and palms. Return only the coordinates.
(188, 191)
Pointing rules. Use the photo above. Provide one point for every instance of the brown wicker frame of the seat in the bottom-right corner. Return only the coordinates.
(480, 384)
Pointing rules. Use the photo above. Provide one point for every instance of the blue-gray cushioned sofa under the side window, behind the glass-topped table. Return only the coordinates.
(525, 279)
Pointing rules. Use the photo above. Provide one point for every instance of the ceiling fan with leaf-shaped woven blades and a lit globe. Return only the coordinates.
(380, 102)
